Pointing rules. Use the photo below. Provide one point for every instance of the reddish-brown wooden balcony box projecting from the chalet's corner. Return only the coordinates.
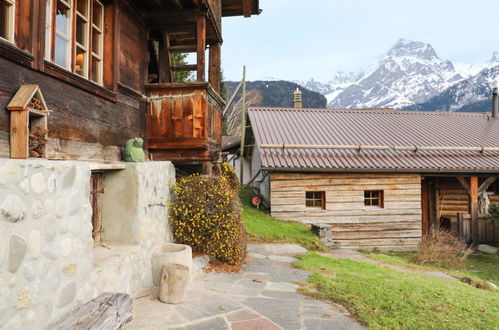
(184, 122)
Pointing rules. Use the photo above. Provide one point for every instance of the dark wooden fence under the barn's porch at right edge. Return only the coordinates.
(488, 229)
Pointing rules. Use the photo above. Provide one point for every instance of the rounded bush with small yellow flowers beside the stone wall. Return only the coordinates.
(207, 216)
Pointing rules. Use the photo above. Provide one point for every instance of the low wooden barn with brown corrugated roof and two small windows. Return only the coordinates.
(379, 177)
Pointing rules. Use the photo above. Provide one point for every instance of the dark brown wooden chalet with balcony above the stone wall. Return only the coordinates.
(103, 68)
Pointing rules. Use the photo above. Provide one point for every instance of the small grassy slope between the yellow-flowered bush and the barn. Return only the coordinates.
(263, 228)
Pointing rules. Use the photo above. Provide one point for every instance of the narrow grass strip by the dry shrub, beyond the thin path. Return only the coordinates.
(483, 266)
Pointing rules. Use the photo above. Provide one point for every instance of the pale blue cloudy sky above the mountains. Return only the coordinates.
(302, 39)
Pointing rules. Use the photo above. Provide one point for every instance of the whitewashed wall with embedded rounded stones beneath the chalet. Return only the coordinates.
(48, 262)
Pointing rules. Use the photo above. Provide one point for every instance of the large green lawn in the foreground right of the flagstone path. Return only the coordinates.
(385, 298)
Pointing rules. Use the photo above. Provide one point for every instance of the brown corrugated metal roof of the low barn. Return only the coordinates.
(309, 127)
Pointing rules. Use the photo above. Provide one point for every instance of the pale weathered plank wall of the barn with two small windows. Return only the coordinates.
(397, 225)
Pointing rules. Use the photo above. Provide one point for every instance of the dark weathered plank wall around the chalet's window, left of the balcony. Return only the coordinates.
(87, 122)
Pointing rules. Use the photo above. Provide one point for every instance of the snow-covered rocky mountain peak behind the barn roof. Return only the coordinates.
(410, 73)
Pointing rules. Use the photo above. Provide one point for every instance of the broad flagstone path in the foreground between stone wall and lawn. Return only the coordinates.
(262, 296)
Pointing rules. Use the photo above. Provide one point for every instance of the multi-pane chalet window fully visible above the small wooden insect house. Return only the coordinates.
(77, 47)
